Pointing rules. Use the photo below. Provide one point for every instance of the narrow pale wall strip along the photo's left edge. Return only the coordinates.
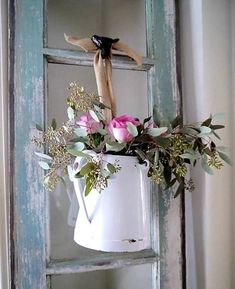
(4, 269)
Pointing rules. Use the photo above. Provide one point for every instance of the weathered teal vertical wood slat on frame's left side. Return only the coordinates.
(29, 211)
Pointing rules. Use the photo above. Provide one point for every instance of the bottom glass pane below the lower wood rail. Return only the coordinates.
(136, 277)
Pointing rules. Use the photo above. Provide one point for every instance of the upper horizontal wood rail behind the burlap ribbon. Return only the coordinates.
(75, 57)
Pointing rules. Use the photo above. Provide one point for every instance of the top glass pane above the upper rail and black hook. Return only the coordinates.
(84, 18)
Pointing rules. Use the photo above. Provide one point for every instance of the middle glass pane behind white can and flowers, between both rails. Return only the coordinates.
(131, 95)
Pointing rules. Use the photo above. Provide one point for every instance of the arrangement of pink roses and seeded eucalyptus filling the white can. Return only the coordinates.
(170, 150)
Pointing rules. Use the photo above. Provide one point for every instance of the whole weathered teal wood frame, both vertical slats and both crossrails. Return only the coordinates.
(29, 55)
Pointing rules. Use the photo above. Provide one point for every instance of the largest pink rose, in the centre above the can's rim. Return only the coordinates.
(118, 127)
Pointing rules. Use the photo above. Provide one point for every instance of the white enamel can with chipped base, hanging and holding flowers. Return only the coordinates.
(118, 218)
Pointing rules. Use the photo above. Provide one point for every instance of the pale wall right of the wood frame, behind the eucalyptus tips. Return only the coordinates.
(207, 75)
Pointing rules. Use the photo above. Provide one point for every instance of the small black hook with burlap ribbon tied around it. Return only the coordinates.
(104, 44)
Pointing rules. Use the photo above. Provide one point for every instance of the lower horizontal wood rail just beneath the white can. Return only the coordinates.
(101, 262)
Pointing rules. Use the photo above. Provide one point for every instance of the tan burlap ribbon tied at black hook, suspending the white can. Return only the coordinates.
(103, 68)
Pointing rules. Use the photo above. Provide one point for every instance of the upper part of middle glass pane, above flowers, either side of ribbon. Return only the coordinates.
(130, 89)
